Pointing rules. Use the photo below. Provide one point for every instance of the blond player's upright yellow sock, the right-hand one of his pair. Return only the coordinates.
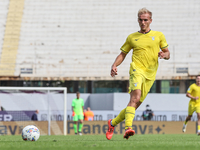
(129, 116)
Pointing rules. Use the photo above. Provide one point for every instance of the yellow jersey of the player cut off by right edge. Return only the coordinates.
(194, 90)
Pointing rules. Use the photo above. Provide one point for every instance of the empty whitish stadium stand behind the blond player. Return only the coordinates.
(79, 40)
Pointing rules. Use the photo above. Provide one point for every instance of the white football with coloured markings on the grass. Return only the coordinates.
(30, 133)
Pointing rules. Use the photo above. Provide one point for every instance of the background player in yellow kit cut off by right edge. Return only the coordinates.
(193, 93)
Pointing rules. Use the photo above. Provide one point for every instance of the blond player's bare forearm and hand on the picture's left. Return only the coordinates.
(120, 58)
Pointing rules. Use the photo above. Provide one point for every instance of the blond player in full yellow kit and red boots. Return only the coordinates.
(148, 46)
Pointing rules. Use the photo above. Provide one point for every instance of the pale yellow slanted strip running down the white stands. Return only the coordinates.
(11, 38)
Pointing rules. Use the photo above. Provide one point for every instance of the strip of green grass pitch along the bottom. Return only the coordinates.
(99, 142)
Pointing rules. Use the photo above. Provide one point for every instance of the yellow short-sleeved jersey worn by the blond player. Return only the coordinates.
(145, 52)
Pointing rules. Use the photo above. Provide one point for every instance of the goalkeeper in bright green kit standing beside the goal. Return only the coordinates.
(77, 112)
